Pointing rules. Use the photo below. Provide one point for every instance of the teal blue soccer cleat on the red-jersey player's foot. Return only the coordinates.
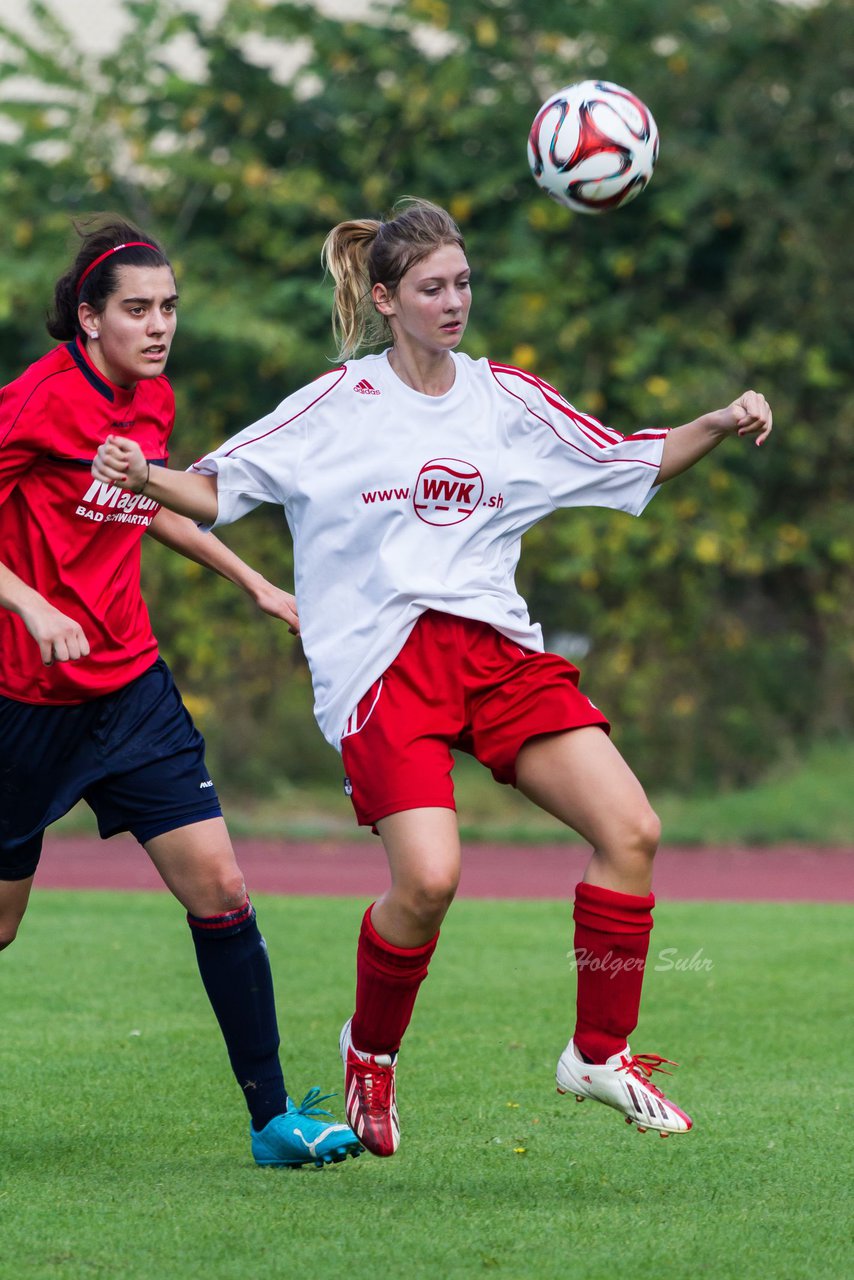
(299, 1139)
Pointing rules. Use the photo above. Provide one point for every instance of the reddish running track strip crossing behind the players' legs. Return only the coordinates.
(358, 870)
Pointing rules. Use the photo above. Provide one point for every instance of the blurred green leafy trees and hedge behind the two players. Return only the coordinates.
(720, 628)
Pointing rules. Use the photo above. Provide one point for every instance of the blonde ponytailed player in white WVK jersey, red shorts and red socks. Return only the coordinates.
(408, 479)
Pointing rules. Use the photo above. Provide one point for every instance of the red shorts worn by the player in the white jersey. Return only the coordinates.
(455, 684)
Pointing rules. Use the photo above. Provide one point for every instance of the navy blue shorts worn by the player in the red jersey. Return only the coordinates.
(134, 756)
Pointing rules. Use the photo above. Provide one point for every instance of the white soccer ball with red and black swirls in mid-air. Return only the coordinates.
(593, 147)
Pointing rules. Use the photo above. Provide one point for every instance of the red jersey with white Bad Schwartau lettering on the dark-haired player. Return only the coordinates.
(75, 541)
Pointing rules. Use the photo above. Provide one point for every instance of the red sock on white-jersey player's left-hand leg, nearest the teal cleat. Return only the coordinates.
(387, 984)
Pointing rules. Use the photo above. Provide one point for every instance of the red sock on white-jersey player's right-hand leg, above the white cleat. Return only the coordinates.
(611, 943)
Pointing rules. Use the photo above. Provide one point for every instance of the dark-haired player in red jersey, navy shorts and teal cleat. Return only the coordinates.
(88, 708)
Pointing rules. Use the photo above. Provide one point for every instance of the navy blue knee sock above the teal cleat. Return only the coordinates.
(236, 973)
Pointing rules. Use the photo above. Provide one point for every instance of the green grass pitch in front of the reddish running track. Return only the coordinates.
(125, 1146)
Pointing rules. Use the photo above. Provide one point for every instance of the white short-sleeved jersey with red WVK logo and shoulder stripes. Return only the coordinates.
(401, 502)
